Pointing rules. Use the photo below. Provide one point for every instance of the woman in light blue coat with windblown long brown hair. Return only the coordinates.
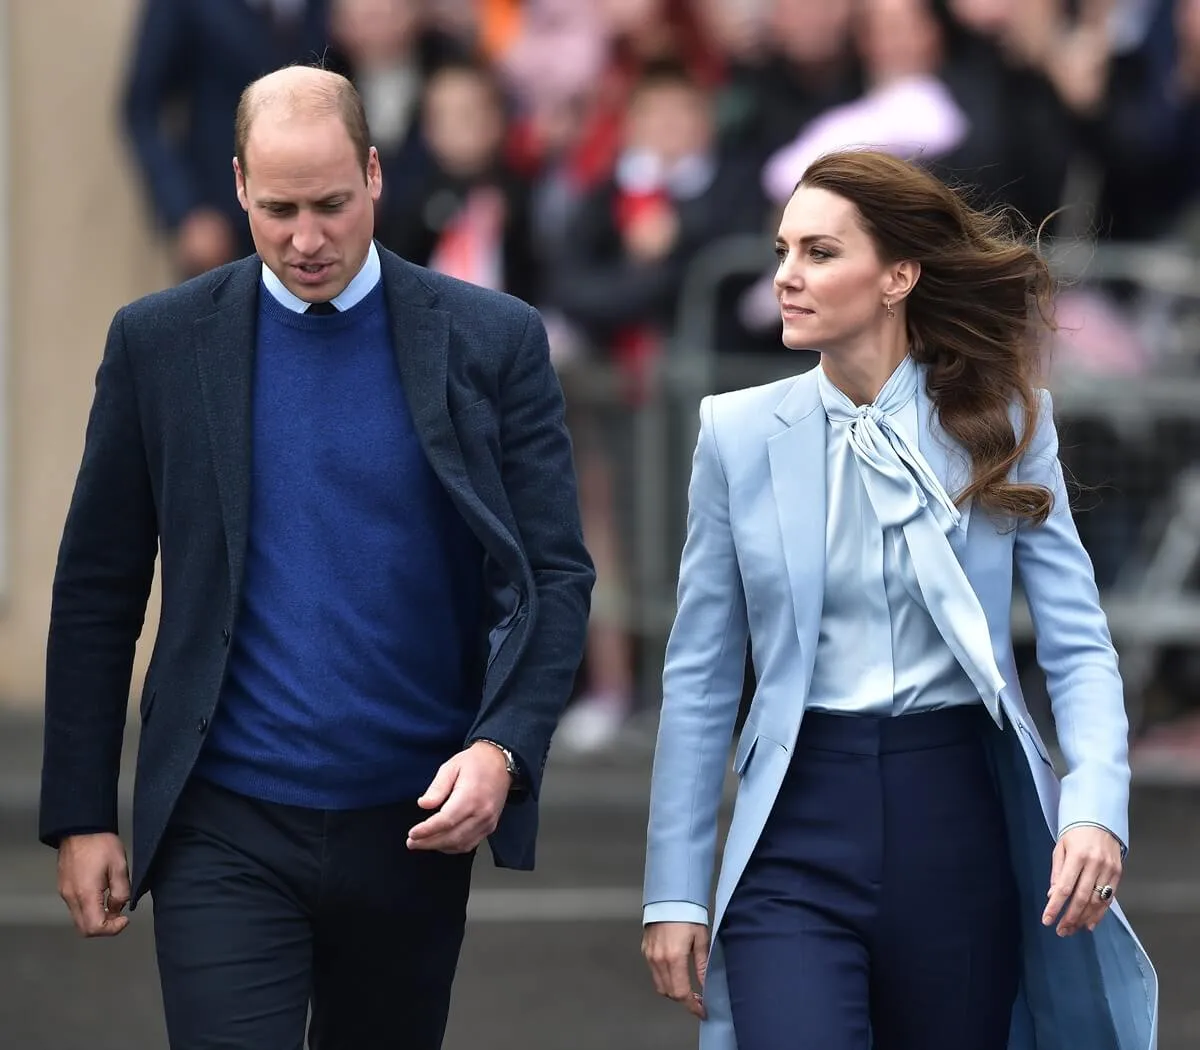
(904, 871)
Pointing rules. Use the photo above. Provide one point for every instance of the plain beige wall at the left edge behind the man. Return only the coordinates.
(80, 248)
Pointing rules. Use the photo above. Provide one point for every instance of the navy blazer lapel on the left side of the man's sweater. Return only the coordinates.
(225, 362)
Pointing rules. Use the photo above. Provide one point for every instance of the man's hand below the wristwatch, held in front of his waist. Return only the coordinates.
(469, 794)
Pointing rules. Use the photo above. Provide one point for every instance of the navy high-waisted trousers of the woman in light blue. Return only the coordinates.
(880, 907)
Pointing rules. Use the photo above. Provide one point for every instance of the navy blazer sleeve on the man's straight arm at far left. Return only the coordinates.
(99, 602)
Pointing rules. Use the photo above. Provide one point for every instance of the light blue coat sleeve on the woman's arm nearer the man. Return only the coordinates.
(701, 691)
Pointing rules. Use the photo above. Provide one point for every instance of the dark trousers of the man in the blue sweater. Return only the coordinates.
(262, 911)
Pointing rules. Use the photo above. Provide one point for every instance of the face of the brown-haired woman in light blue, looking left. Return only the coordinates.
(831, 283)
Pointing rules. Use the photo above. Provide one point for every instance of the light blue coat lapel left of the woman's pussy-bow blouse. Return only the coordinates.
(797, 458)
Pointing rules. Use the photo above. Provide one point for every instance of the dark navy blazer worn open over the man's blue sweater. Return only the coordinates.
(167, 470)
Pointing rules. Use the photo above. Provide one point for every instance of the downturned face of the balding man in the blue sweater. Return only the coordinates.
(311, 207)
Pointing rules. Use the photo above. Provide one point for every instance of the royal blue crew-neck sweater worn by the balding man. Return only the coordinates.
(350, 676)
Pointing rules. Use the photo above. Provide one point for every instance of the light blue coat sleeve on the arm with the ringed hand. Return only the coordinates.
(1075, 649)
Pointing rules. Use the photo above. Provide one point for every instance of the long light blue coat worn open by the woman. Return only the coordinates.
(754, 567)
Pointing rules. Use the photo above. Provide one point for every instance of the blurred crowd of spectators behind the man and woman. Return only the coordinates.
(580, 154)
